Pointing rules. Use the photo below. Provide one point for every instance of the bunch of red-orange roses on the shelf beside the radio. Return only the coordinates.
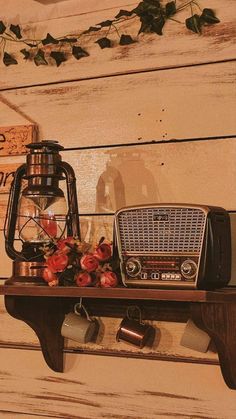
(71, 262)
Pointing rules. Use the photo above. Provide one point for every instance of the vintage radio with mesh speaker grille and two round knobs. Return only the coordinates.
(174, 246)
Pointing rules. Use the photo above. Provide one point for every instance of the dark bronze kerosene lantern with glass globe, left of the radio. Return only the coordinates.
(38, 212)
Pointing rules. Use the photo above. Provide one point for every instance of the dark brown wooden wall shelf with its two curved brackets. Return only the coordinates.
(43, 309)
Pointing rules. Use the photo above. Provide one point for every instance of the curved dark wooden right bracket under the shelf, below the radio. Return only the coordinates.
(218, 320)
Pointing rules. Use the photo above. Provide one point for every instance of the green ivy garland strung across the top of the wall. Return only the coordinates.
(152, 15)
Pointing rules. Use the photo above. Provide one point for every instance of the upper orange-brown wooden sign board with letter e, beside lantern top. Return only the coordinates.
(13, 139)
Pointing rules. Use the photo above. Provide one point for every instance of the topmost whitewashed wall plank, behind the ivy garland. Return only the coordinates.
(177, 47)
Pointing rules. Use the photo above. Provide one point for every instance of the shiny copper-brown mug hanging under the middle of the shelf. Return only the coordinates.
(133, 330)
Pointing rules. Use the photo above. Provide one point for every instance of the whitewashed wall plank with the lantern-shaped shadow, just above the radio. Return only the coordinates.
(108, 179)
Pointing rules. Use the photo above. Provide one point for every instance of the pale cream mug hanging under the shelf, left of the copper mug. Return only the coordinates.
(78, 327)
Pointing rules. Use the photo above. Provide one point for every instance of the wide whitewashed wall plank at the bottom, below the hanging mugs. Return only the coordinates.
(98, 387)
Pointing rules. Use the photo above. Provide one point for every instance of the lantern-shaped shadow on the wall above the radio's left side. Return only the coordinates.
(126, 181)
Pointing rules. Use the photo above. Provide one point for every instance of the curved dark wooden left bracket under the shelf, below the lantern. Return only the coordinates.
(45, 317)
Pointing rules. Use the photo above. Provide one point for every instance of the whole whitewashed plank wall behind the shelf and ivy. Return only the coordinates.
(150, 122)
